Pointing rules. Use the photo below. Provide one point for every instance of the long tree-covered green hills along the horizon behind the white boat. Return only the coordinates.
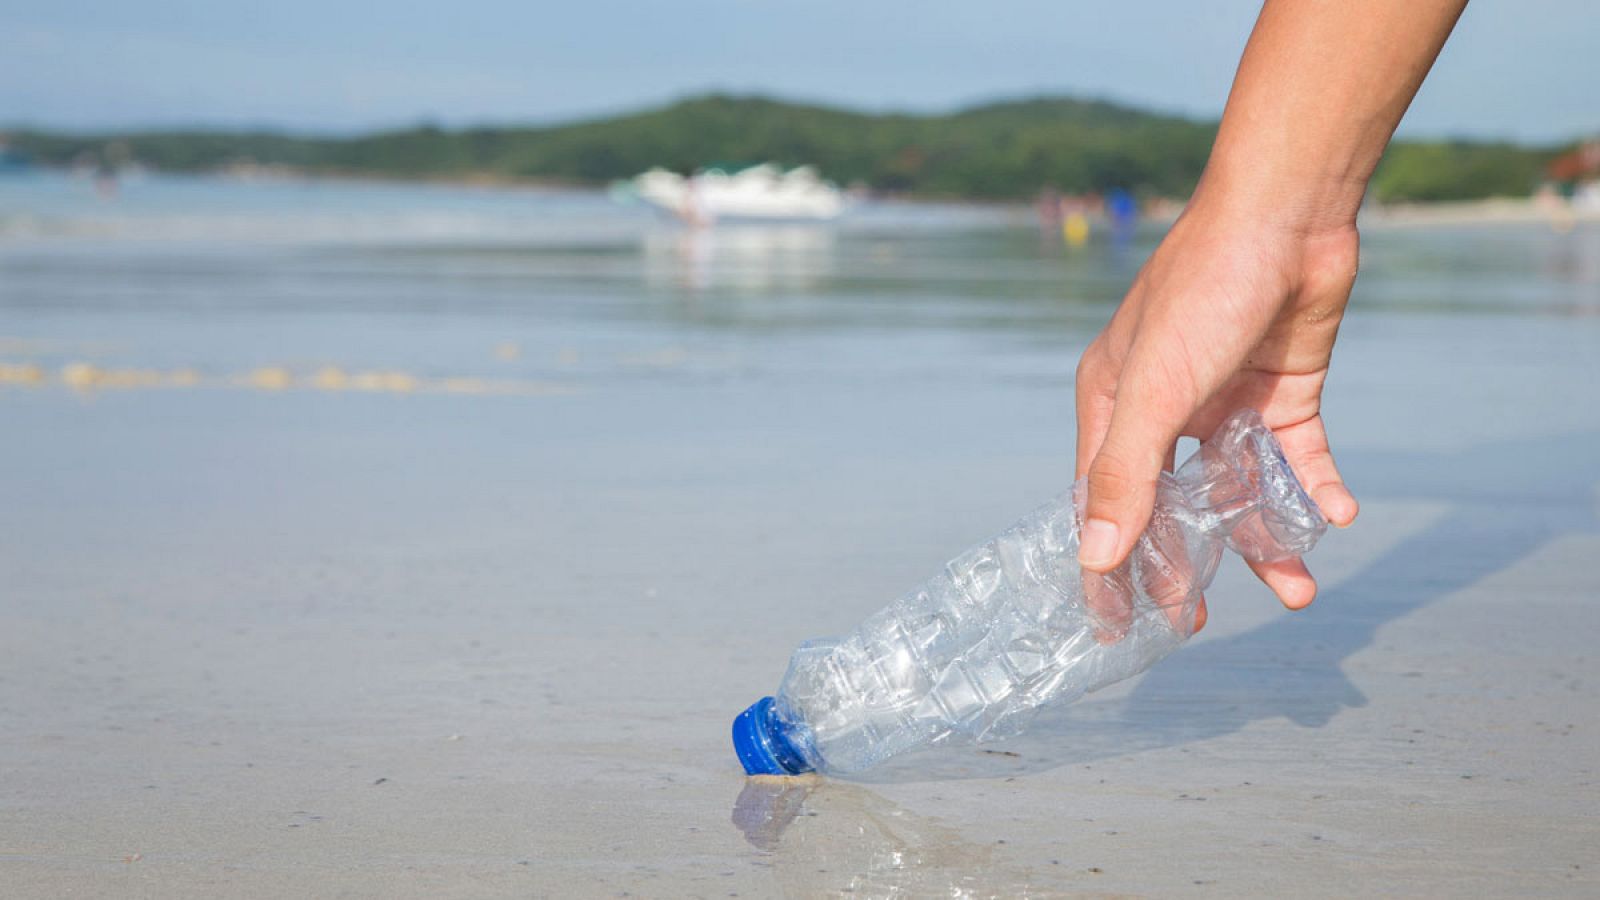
(994, 151)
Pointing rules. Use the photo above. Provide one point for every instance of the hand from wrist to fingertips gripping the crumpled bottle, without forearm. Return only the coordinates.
(1233, 310)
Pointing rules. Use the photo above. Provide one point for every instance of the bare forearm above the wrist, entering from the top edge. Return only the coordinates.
(1319, 94)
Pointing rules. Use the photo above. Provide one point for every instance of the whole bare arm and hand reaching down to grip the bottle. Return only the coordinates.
(1242, 302)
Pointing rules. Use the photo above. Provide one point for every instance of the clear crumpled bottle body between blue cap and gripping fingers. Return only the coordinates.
(1002, 630)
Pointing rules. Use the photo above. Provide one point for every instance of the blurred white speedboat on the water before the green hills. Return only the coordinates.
(761, 193)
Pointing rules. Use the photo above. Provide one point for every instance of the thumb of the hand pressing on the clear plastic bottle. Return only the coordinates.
(1122, 484)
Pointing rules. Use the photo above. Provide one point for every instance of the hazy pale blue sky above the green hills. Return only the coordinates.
(1516, 68)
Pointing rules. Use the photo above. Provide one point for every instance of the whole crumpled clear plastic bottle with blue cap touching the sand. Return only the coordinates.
(1015, 624)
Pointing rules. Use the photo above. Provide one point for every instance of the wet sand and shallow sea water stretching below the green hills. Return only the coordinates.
(374, 540)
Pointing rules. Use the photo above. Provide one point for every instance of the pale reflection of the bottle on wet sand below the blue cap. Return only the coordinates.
(826, 837)
